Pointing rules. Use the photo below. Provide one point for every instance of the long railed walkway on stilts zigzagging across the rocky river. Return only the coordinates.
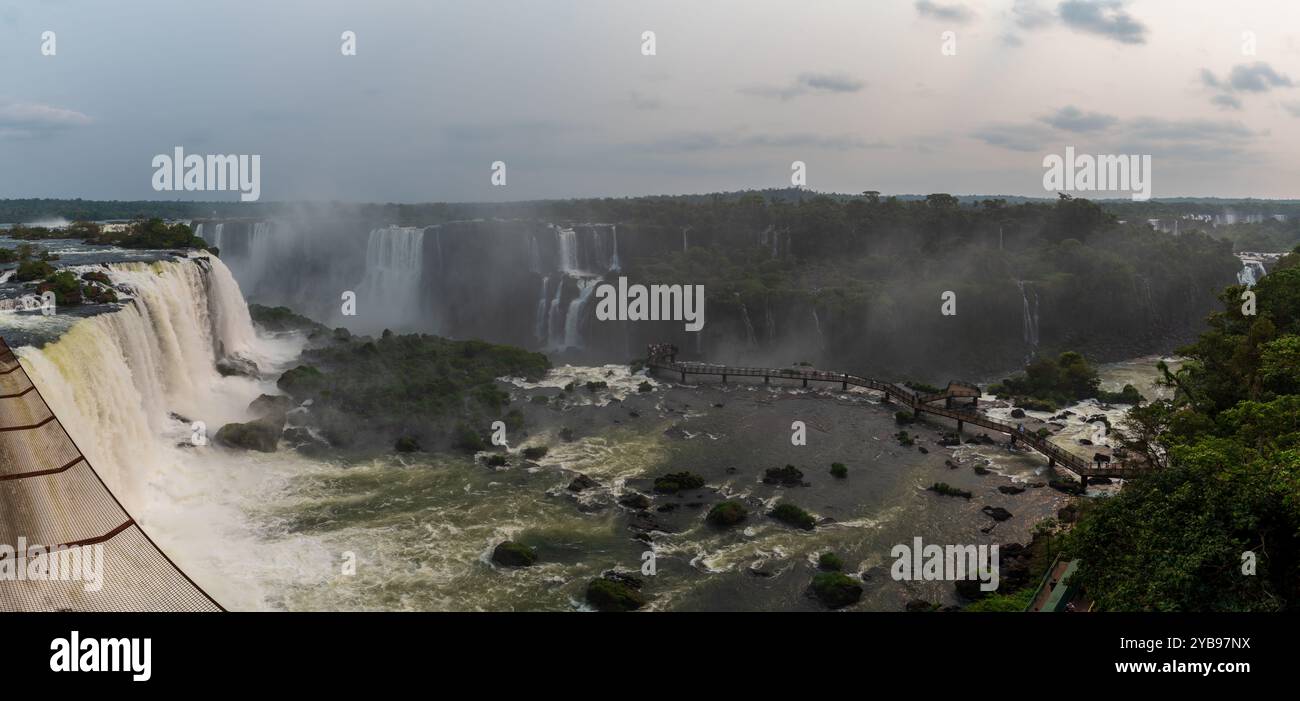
(664, 357)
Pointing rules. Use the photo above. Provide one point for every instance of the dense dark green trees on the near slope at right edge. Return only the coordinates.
(1229, 491)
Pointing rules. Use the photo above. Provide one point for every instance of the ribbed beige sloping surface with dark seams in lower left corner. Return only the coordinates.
(54, 507)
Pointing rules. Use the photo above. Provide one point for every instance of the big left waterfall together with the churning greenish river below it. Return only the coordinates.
(280, 531)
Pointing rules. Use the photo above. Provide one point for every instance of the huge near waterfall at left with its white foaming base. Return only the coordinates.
(115, 380)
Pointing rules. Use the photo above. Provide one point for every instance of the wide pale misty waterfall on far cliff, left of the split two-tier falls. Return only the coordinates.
(389, 293)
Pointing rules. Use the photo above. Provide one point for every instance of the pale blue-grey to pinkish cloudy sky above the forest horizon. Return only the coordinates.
(863, 92)
